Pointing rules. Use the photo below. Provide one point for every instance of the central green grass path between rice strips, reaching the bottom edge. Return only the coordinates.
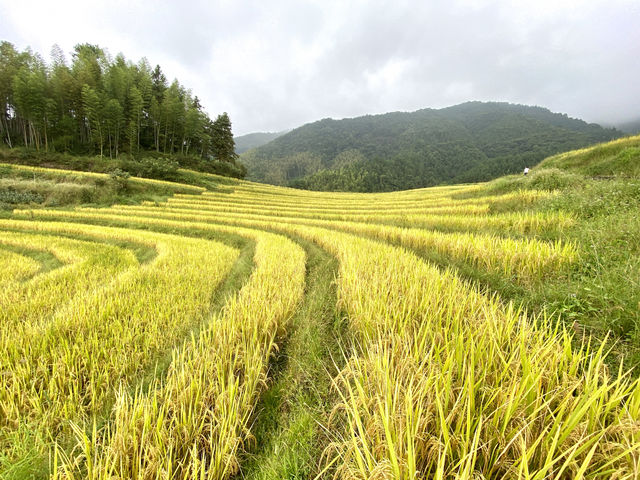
(288, 434)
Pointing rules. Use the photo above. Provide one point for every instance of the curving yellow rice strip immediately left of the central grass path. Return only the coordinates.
(192, 423)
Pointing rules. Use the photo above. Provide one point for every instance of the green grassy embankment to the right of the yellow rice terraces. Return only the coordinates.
(600, 188)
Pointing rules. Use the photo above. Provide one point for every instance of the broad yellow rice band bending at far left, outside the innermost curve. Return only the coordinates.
(65, 350)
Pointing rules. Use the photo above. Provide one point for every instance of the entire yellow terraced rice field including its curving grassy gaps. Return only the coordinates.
(169, 340)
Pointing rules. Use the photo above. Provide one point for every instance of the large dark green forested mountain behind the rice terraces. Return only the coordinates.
(469, 142)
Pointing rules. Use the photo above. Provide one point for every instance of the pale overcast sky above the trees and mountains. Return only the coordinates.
(276, 64)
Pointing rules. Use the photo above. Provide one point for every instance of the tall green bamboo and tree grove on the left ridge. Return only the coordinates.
(105, 105)
